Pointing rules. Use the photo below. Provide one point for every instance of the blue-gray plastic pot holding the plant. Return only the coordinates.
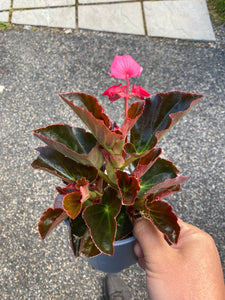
(123, 257)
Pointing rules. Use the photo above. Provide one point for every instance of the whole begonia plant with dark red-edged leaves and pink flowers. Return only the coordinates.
(112, 174)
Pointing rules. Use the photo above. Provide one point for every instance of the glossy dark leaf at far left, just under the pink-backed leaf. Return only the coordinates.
(57, 164)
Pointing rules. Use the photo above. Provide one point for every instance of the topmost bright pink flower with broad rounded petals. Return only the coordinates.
(124, 67)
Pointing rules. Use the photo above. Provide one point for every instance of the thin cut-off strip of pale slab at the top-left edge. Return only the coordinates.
(41, 3)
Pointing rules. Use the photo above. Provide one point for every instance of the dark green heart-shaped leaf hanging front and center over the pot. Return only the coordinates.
(100, 219)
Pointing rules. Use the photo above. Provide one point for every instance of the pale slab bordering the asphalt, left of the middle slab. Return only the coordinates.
(63, 17)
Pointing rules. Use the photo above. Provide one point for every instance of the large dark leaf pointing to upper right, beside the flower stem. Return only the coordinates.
(162, 111)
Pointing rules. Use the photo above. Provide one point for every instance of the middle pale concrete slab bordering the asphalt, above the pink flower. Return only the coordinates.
(122, 18)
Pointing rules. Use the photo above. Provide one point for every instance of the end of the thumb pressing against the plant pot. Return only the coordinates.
(151, 240)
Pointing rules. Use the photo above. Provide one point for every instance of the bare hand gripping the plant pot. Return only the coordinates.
(189, 270)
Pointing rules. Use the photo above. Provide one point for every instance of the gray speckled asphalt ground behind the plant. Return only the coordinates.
(34, 66)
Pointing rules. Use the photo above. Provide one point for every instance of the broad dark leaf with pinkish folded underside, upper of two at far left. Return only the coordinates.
(75, 143)
